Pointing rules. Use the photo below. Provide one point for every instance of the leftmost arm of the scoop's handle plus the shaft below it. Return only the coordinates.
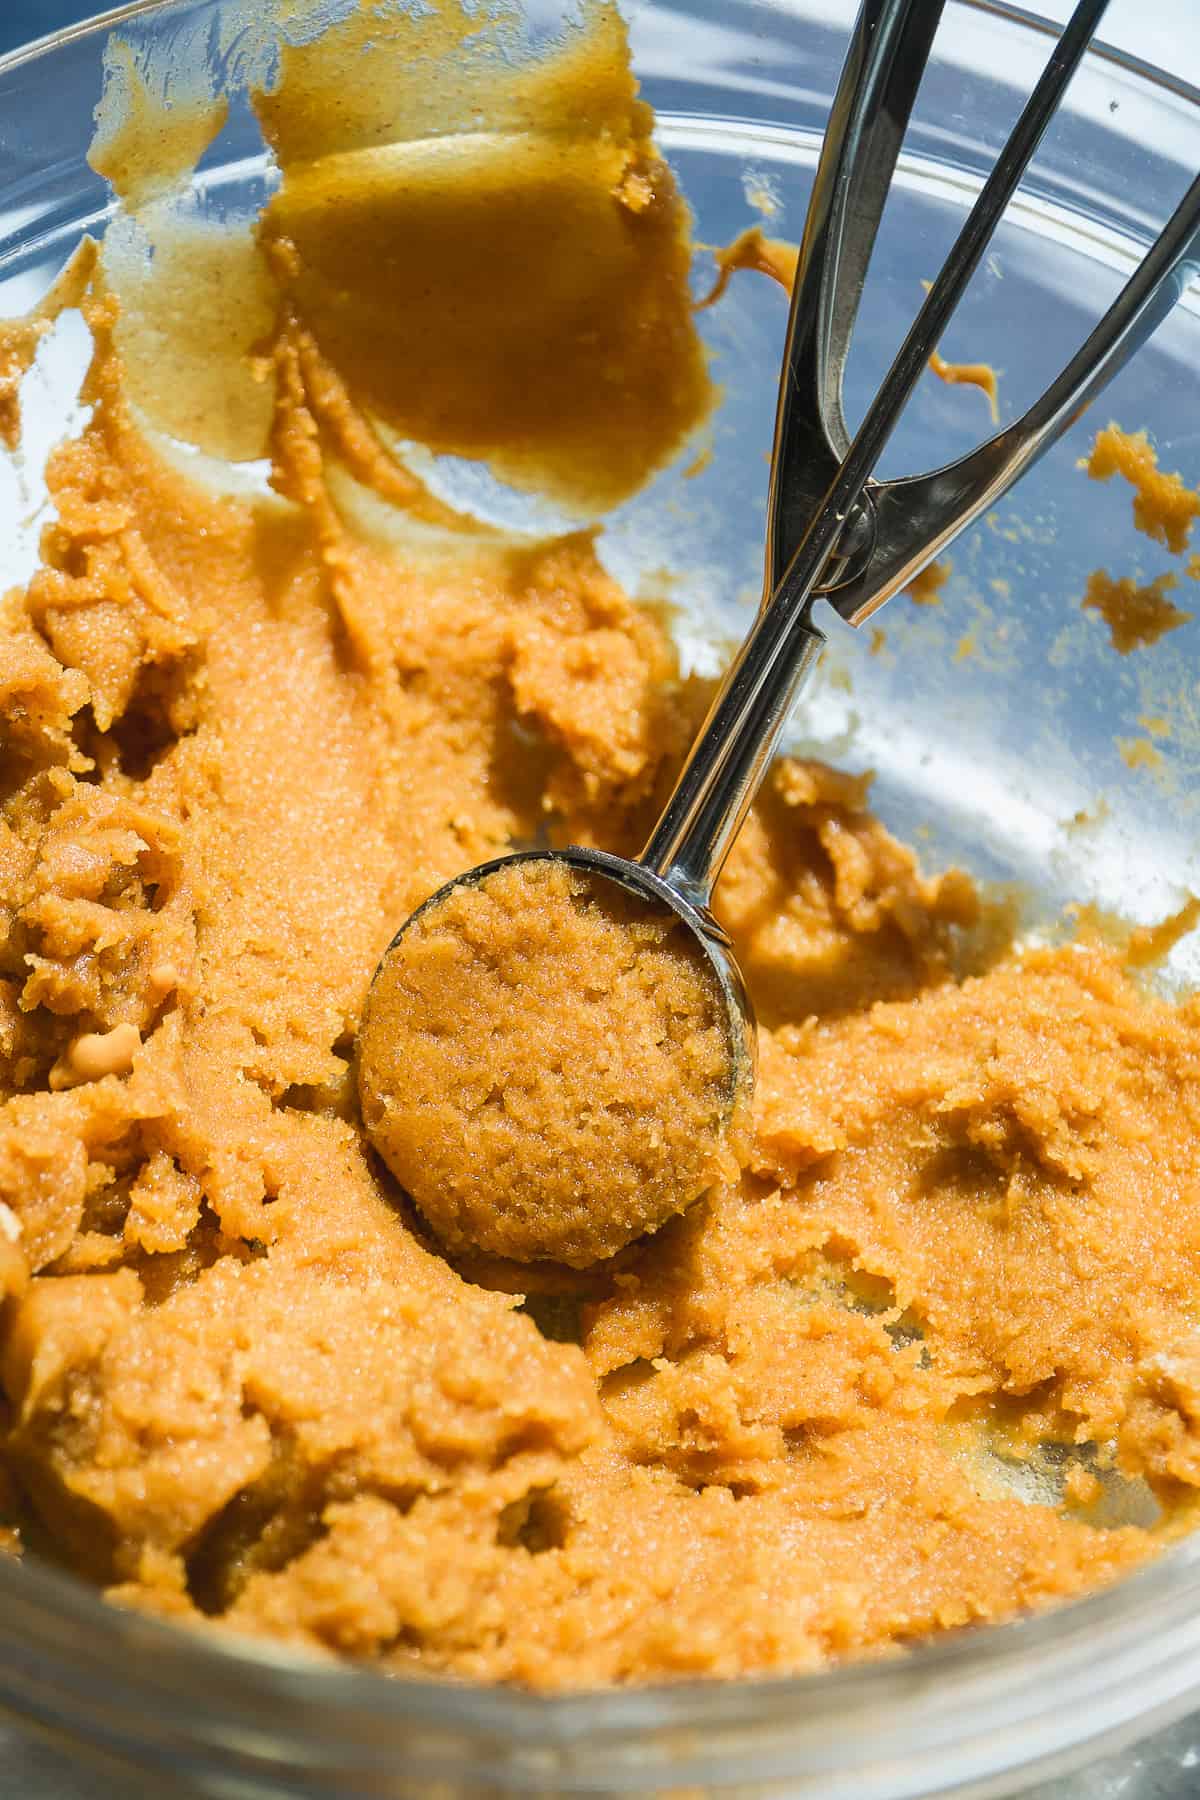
(812, 487)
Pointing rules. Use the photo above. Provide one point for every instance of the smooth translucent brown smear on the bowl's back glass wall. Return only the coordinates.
(494, 253)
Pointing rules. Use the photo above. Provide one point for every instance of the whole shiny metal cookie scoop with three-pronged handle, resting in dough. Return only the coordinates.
(832, 532)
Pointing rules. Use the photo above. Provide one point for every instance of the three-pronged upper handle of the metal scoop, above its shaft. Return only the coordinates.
(864, 539)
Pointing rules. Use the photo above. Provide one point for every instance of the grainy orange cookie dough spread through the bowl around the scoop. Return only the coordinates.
(246, 735)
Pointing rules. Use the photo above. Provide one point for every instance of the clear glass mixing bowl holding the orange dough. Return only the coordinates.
(1003, 730)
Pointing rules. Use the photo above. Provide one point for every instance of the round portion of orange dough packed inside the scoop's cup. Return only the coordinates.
(544, 1066)
